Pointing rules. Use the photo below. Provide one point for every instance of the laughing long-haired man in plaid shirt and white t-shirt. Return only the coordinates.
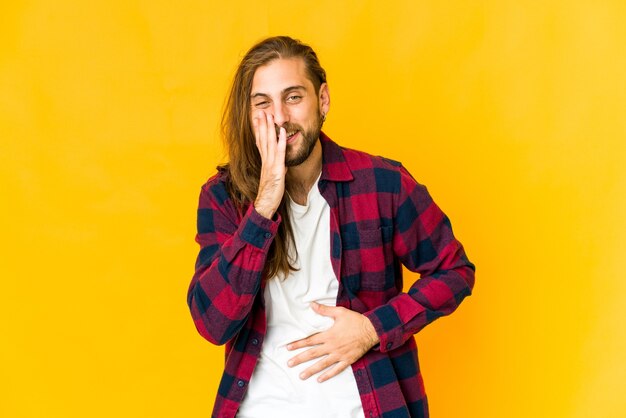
(302, 246)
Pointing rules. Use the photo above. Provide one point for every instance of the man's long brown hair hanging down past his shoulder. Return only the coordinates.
(244, 165)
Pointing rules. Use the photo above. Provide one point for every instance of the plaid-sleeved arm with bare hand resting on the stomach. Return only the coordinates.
(424, 243)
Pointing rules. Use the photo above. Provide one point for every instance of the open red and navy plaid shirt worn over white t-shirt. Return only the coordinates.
(380, 219)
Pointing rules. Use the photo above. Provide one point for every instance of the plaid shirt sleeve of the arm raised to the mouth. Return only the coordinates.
(230, 264)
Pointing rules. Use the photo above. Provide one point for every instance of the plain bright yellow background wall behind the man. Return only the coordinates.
(513, 113)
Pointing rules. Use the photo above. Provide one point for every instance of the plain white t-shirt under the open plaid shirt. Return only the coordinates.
(275, 390)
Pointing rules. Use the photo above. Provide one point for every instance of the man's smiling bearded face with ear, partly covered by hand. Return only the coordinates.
(282, 89)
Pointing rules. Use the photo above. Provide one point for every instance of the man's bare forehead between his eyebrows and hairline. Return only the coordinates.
(280, 74)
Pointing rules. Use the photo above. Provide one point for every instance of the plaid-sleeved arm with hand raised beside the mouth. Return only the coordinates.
(233, 253)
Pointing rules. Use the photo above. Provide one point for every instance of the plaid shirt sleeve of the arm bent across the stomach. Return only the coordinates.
(423, 241)
